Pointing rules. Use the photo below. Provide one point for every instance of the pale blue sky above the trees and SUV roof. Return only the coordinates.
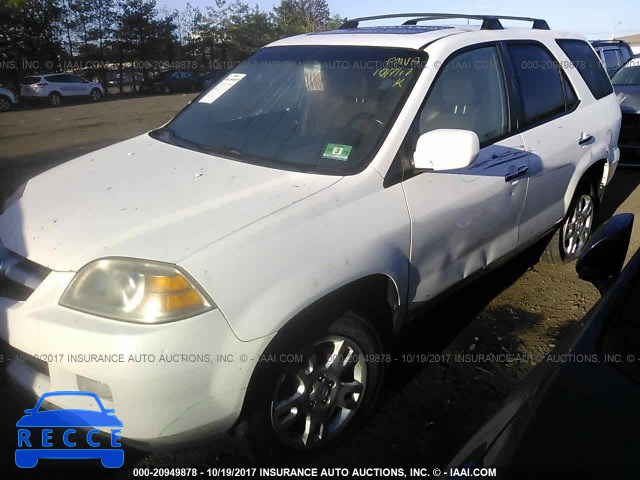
(596, 19)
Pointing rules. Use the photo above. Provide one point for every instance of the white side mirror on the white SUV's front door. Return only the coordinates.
(446, 149)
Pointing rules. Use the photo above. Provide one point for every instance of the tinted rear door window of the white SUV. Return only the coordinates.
(540, 81)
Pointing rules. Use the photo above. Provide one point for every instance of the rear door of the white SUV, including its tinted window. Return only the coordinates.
(557, 136)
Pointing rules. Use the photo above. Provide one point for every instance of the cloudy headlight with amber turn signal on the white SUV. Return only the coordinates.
(135, 291)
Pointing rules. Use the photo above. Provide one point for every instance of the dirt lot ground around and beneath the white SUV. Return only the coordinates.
(429, 408)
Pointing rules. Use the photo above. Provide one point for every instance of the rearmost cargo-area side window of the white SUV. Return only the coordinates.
(589, 66)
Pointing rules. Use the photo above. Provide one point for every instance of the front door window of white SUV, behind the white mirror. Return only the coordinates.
(469, 94)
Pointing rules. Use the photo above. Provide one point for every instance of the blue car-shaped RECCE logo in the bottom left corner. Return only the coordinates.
(36, 434)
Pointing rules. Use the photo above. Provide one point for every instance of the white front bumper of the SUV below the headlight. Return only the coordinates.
(172, 381)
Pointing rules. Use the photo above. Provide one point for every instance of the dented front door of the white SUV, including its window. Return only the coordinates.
(465, 219)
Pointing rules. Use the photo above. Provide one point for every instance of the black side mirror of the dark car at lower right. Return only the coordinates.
(602, 258)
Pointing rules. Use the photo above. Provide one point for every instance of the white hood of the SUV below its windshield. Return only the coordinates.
(146, 199)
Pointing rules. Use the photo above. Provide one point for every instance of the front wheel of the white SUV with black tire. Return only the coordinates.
(323, 396)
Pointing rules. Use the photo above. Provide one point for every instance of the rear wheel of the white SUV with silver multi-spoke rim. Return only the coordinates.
(576, 227)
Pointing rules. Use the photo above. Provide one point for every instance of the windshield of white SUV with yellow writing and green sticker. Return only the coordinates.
(322, 109)
